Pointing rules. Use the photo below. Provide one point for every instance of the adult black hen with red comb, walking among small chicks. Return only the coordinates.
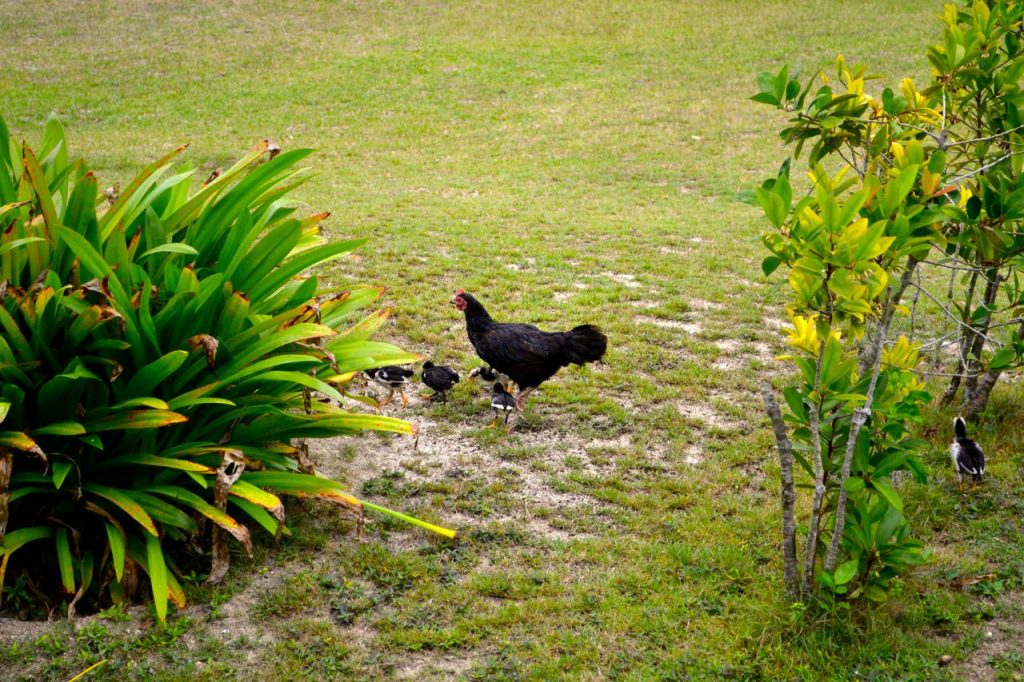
(525, 354)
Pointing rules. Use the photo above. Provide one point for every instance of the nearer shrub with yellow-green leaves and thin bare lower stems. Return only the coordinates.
(850, 248)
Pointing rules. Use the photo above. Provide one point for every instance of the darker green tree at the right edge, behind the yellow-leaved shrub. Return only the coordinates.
(977, 72)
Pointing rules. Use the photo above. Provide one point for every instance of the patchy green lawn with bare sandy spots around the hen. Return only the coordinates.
(566, 162)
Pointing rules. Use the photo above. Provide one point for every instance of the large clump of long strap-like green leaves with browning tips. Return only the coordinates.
(161, 350)
